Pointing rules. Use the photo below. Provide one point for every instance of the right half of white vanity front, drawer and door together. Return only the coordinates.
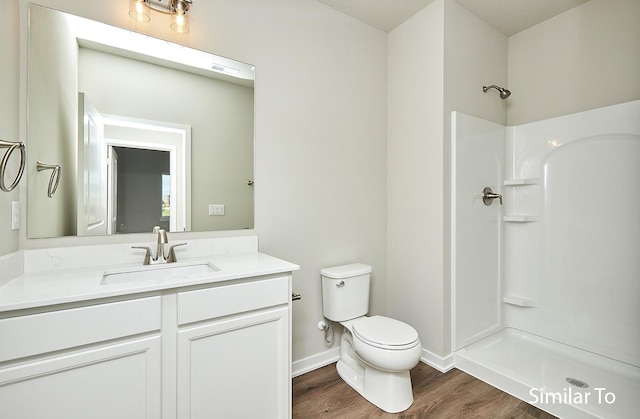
(233, 346)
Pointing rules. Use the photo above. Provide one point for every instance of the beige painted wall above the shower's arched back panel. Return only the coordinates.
(585, 58)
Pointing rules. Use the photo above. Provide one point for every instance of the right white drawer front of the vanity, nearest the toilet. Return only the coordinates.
(224, 300)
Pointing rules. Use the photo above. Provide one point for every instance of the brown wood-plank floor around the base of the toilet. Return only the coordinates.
(455, 394)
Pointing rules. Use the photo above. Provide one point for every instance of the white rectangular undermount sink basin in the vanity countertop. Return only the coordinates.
(163, 272)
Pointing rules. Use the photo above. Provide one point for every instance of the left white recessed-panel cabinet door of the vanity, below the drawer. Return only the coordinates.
(121, 380)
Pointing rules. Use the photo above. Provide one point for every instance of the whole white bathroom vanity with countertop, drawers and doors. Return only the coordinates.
(210, 343)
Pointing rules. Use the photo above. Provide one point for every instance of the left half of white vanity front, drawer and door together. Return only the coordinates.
(98, 361)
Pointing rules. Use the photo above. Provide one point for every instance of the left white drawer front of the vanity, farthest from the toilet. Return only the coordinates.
(55, 330)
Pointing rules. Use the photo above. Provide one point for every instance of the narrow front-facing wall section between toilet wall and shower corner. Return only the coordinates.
(415, 286)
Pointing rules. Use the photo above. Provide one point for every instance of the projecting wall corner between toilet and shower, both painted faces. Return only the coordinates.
(438, 62)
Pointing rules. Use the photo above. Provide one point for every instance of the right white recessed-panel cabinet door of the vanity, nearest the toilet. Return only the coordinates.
(237, 367)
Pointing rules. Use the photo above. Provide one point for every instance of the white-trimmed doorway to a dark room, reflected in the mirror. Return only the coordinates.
(165, 149)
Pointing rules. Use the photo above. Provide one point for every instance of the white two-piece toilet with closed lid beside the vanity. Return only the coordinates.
(376, 353)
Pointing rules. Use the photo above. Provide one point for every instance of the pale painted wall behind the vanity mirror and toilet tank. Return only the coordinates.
(320, 135)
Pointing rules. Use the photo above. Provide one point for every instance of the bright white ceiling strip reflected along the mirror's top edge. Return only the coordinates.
(121, 39)
